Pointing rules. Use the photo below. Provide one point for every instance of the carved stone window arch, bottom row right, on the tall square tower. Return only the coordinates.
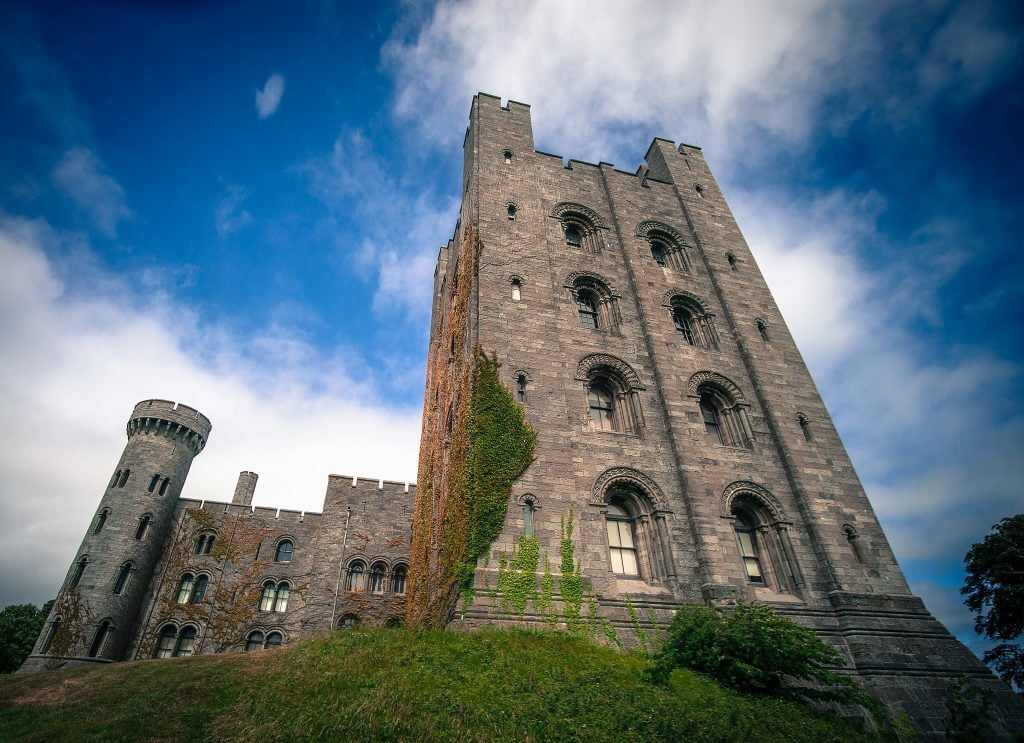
(763, 542)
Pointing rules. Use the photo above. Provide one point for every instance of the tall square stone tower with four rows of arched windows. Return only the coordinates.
(677, 425)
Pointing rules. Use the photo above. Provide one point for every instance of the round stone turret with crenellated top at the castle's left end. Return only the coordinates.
(99, 604)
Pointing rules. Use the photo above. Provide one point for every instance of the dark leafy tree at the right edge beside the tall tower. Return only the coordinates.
(995, 591)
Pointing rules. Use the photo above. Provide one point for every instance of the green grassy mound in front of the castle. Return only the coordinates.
(394, 685)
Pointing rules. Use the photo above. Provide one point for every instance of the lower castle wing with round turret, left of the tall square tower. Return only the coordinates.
(162, 576)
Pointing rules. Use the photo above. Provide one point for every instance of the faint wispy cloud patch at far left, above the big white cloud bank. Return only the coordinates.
(79, 176)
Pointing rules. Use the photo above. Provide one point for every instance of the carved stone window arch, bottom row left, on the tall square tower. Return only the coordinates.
(636, 529)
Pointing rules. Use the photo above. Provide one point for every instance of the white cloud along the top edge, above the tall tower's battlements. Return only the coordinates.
(738, 78)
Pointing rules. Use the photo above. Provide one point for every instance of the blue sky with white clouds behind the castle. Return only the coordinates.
(239, 206)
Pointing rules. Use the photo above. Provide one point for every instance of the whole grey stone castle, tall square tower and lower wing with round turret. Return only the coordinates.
(681, 449)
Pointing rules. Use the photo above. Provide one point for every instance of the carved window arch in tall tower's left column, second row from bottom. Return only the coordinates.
(613, 395)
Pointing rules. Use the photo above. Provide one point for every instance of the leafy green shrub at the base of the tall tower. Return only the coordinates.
(753, 649)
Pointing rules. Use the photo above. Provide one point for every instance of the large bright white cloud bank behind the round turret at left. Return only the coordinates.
(81, 347)
